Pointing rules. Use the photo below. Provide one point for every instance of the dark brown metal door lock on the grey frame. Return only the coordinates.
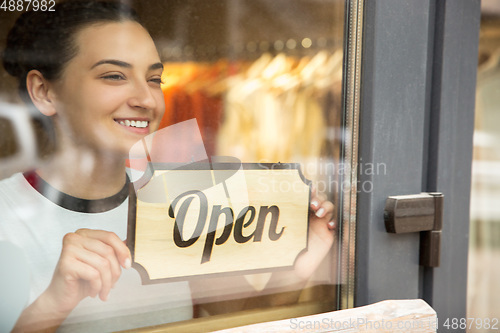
(418, 213)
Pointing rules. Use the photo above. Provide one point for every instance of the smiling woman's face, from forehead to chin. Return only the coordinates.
(109, 95)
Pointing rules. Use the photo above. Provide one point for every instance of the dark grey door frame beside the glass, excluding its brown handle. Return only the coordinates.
(417, 120)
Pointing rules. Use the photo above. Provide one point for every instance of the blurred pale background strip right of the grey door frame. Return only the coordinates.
(484, 247)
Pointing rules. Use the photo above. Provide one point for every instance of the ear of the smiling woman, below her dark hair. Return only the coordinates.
(39, 90)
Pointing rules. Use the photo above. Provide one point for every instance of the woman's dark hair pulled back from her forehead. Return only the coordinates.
(44, 40)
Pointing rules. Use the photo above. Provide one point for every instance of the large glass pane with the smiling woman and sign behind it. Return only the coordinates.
(249, 87)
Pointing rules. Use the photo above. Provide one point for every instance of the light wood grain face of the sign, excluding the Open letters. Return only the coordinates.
(156, 251)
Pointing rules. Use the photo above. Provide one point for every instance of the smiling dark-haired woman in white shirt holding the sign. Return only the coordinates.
(94, 69)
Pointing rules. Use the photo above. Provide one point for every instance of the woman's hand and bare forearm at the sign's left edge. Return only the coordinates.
(89, 265)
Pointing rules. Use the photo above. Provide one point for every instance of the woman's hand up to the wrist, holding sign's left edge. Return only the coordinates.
(89, 266)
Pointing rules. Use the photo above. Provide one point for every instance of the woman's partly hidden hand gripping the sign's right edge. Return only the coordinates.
(321, 236)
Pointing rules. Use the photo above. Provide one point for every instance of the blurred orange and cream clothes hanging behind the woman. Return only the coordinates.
(277, 106)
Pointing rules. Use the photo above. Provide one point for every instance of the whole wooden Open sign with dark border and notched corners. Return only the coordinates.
(203, 219)
